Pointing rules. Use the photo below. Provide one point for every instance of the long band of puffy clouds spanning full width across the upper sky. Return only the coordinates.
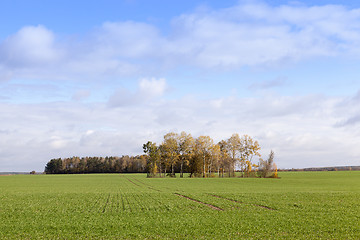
(247, 34)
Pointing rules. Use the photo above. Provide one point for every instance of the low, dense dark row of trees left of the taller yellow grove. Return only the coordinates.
(124, 164)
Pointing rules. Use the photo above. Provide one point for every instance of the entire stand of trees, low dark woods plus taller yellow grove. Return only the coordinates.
(179, 153)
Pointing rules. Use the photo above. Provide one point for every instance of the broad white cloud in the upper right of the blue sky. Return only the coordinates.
(253, 34)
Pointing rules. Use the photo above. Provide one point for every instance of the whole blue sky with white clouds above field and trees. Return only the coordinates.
(100, 78)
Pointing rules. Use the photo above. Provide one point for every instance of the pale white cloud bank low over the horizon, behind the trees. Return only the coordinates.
(302, 132)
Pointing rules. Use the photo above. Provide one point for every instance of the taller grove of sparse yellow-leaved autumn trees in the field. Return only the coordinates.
(201, 157)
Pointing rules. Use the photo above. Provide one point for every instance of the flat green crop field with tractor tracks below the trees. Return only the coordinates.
(300, 205)
